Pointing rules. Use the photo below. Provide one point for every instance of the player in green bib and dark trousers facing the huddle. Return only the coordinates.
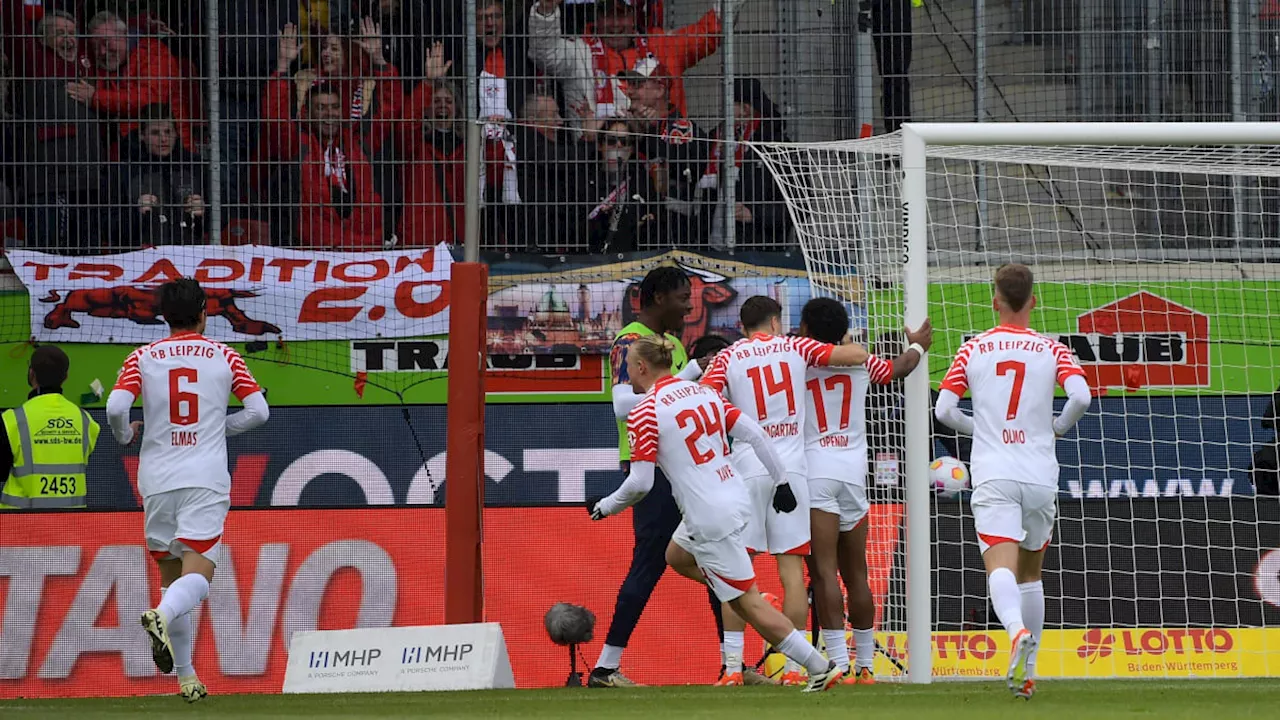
(666, 298)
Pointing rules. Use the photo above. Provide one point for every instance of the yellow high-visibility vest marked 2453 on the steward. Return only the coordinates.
(52, 440)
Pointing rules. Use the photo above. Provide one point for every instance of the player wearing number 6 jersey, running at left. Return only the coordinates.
(184, 382)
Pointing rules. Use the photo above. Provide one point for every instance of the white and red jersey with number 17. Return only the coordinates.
(835, 429)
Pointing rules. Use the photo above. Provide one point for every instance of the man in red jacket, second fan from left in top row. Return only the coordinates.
(130, 74)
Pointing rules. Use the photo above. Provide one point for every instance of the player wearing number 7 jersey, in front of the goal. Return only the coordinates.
(1012, 372)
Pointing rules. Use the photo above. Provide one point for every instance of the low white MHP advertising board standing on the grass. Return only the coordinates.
(440, 658)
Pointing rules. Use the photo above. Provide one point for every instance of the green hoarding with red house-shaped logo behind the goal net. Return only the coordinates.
(1219, 338)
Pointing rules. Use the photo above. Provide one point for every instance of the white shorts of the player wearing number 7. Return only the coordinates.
(1014, 512)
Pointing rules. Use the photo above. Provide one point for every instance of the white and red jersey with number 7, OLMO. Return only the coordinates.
(1012, 372)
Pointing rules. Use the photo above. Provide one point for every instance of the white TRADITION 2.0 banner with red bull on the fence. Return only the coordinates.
(255, 293)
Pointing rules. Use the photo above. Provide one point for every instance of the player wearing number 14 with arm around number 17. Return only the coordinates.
(765, 375)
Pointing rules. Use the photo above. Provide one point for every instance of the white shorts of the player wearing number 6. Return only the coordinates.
(186, 520)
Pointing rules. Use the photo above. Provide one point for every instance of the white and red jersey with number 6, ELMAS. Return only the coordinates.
(185, 382)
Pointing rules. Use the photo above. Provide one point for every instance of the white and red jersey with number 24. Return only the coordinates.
(684, 429)
